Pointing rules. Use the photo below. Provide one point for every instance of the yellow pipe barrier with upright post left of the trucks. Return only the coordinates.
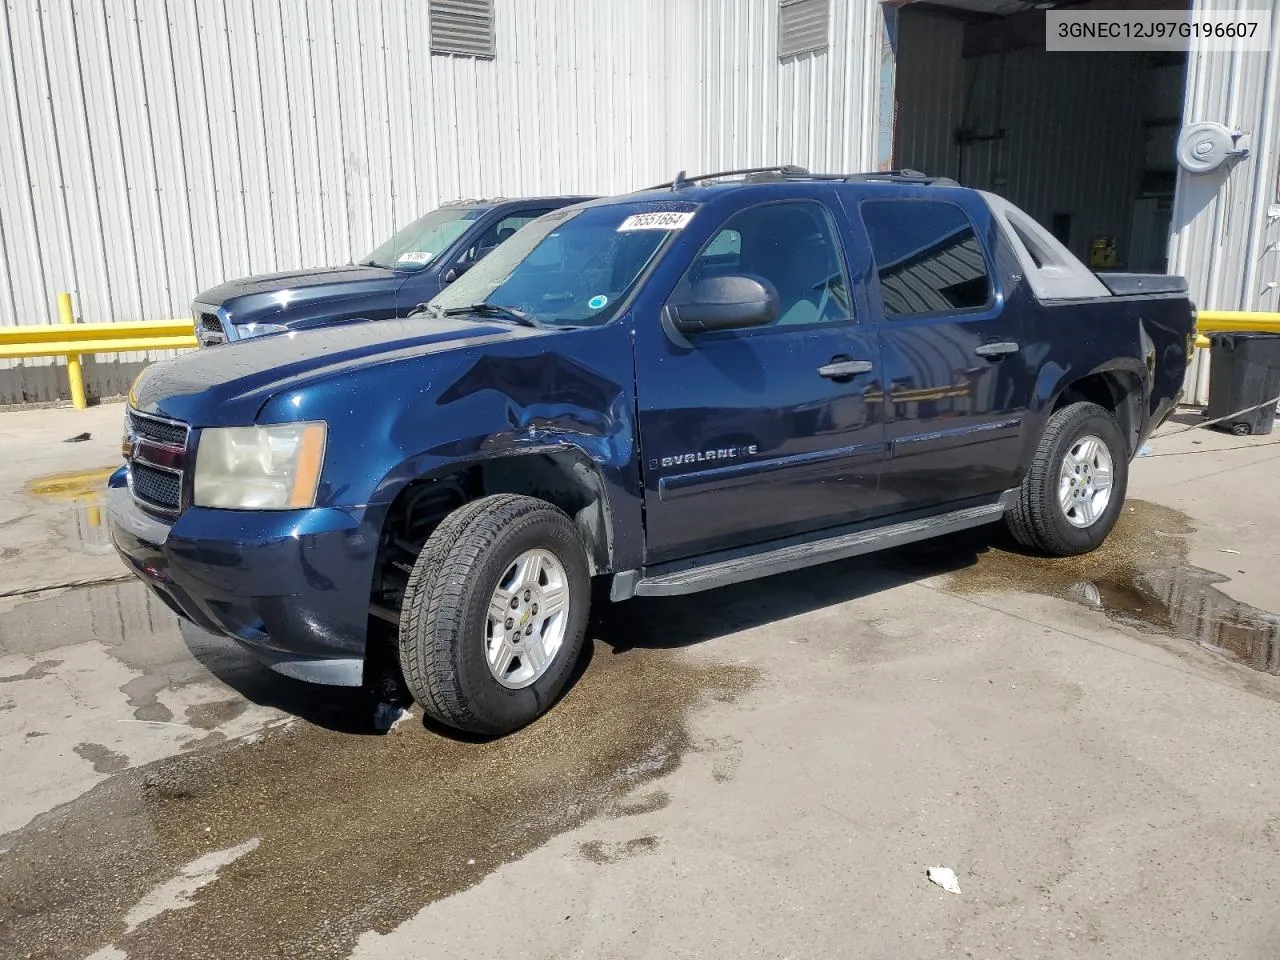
(71, 340)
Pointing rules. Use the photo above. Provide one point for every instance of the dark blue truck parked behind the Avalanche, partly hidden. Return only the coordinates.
(409, 269)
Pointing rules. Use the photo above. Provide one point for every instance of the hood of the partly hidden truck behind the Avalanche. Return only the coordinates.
(252, 298)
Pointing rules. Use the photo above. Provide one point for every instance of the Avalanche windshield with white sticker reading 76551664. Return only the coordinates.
(572, 267)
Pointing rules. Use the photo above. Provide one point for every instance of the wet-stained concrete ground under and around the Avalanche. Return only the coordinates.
(761, 771)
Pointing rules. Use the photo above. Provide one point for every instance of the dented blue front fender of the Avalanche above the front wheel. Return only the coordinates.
(392, 424)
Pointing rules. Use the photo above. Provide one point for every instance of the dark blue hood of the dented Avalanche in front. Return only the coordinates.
(227, 386)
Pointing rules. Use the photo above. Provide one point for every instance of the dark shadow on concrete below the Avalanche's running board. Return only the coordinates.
(683, 621)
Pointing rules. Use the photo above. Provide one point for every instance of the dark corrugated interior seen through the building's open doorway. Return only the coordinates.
(1063, 132)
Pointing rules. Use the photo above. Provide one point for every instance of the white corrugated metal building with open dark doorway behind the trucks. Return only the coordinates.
(156, 148)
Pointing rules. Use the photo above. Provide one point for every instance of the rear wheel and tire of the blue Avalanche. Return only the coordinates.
(1075, 492)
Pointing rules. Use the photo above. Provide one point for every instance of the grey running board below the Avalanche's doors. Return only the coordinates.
(797, 554)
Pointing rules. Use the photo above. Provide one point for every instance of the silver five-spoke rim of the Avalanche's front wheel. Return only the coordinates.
(528, 619)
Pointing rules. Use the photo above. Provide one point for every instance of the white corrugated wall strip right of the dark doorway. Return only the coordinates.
(1227, 226)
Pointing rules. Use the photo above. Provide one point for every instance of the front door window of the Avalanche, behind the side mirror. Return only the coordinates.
(790, 245)
